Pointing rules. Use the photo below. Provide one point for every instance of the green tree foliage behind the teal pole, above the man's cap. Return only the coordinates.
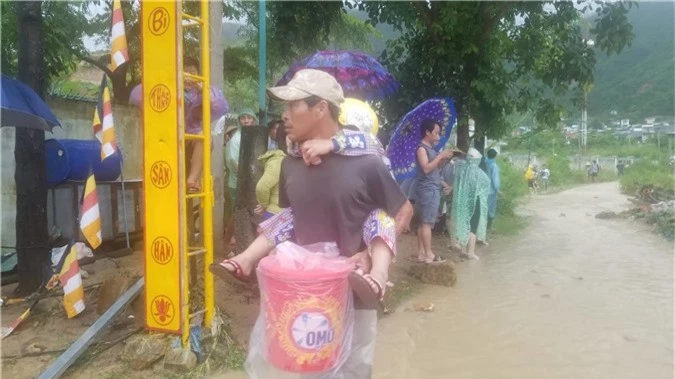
(294, 30)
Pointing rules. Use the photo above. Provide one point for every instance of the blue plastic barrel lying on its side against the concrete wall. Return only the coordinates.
(71, 159)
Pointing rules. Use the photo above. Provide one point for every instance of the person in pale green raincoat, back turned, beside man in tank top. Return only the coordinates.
(470, 203)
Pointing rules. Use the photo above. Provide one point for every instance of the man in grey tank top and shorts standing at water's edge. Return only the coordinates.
(427, 192)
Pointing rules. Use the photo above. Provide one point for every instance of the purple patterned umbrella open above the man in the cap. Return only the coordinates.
(360, 75)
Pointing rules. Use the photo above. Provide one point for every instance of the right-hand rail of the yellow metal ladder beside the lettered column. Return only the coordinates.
(207, 219)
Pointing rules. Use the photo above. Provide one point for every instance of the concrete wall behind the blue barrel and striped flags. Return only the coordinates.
(76, 118)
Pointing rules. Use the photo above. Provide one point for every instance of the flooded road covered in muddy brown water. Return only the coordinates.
(570, 297)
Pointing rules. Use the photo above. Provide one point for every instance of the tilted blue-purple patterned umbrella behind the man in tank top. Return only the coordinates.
(407, 135)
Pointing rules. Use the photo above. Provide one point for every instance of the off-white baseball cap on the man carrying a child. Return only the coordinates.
(309, 82)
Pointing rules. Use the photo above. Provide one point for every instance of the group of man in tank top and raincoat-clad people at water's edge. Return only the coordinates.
(452, 183)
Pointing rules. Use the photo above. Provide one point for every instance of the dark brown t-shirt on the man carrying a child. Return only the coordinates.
(331, 201)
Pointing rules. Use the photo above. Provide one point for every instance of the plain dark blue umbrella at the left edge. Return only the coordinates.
(22, 107)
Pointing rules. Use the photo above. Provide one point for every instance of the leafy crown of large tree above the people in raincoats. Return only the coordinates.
(495, 58)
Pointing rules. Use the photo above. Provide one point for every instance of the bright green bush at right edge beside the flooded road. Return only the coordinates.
(646, 172)
